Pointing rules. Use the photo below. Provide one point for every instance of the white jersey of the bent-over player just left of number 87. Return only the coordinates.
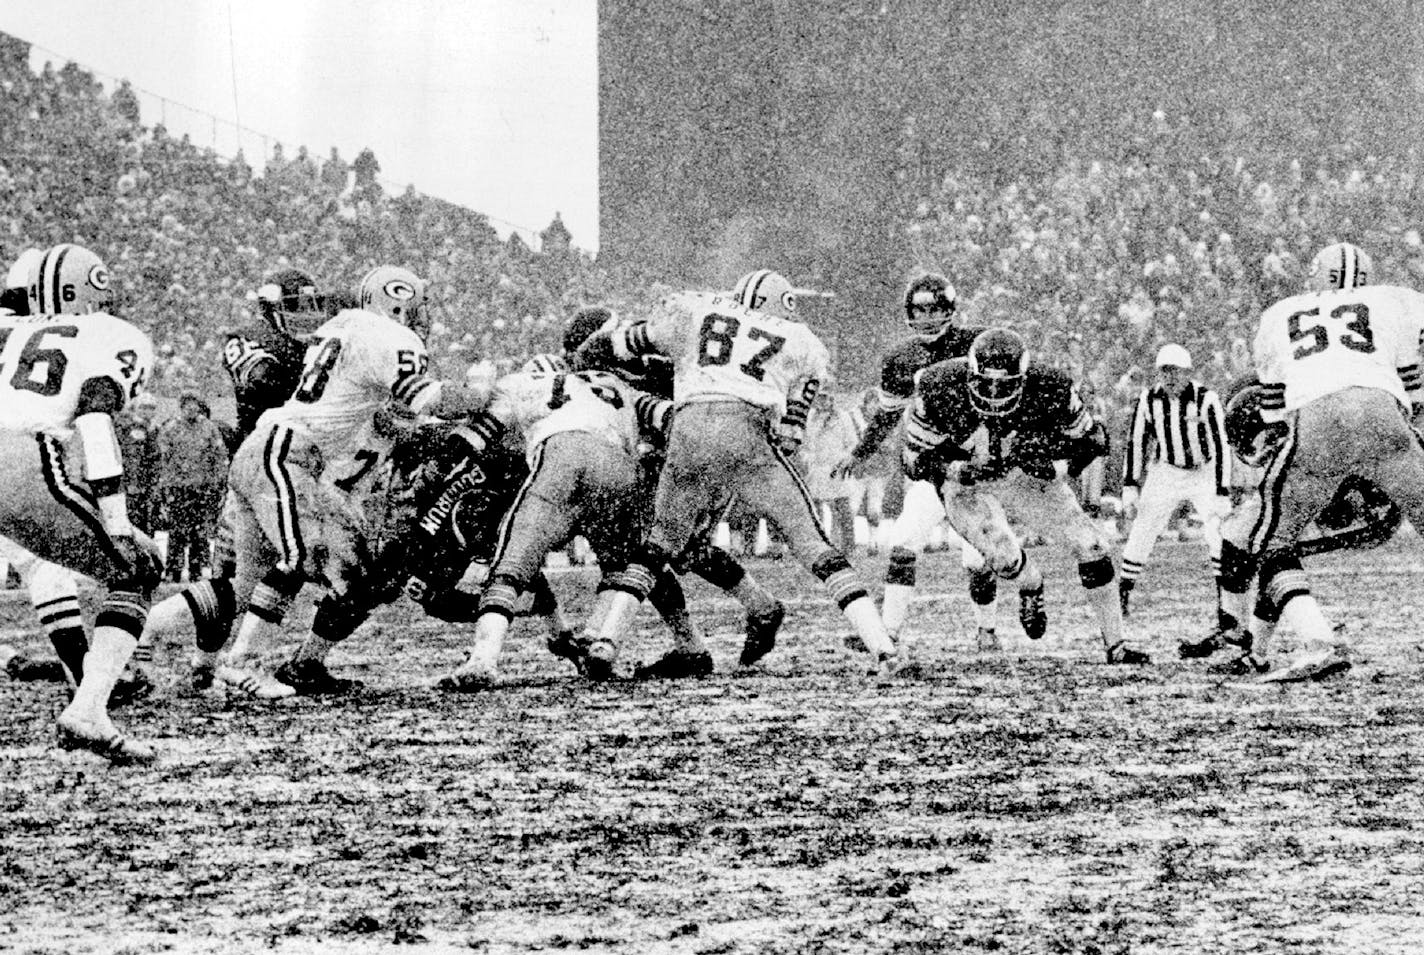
(540, 405)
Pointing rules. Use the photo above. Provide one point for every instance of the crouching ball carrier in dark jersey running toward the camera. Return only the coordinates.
(998, 435)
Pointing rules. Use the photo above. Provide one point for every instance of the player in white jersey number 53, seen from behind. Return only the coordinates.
(1339, 368)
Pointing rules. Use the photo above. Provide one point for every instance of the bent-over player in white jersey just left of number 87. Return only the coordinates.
(580, 432)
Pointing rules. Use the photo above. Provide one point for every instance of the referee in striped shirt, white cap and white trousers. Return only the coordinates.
(1180, 426)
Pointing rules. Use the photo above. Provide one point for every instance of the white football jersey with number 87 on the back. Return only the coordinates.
(726, 351)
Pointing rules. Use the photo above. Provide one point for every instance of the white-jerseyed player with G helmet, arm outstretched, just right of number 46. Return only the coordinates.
(291, 522)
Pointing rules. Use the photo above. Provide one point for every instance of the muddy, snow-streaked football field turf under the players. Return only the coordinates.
(1035, 801)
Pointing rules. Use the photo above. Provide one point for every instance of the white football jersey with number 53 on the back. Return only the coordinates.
(1324, 342)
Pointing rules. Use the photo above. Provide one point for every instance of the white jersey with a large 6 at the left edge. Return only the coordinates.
(46, 359)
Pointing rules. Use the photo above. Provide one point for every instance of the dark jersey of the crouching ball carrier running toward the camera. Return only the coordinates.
(1042, 429)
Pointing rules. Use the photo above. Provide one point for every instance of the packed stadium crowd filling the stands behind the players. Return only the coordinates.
(1099, 258)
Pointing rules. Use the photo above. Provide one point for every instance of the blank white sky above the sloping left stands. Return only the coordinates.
(488, 103)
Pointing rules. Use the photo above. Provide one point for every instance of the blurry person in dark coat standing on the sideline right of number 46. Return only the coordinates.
(194, 463)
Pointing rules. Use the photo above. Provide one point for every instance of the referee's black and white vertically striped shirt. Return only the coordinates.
(1188, 431)
